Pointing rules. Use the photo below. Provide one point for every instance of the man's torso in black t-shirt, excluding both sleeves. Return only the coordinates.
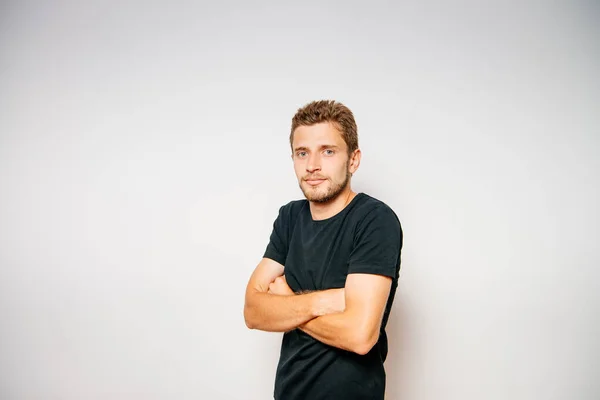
(318, 259)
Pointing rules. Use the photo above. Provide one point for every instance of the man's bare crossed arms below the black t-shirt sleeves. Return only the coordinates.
(348, 318)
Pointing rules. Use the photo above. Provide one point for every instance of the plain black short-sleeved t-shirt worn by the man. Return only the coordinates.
(365, 237)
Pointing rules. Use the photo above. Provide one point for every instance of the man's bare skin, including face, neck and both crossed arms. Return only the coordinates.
(347, 318)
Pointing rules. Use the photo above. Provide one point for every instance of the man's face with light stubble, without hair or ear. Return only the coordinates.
(321, 161)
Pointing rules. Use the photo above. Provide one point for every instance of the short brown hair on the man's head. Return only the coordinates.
(328, 111)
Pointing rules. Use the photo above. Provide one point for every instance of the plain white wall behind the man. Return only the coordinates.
(143, 157)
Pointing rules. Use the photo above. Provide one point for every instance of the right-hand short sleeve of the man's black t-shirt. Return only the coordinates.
(377, 244)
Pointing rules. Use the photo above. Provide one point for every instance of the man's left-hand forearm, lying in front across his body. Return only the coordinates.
(280, 313)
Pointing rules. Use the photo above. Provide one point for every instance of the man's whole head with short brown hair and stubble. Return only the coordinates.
(324, 142)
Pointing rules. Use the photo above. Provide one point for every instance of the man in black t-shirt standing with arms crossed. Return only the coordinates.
(330, 270)
